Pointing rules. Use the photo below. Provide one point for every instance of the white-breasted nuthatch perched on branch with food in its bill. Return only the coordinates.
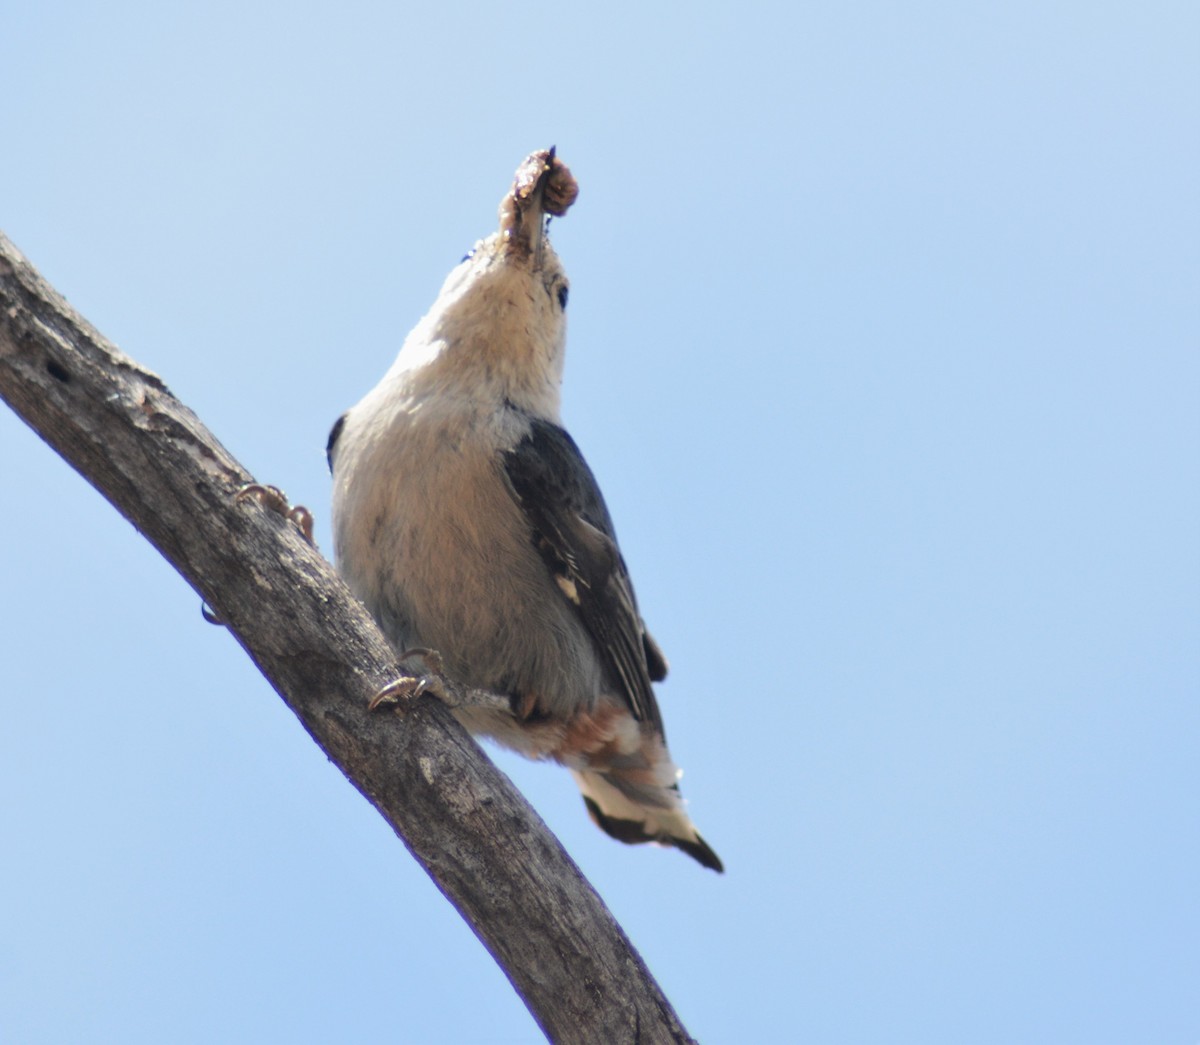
(467, 521)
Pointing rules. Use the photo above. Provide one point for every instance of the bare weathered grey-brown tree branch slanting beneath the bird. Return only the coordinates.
(464, 821)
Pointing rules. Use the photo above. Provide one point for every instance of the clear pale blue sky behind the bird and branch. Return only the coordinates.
(885, 346)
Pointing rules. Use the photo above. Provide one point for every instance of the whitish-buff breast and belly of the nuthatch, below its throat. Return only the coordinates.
(430, 537)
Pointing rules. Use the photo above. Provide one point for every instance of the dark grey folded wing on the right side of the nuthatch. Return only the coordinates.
(574, 534)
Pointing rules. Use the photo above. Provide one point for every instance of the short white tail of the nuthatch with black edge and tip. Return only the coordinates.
(633, 814)
